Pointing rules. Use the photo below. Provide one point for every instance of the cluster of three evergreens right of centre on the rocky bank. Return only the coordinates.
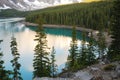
(84, 57)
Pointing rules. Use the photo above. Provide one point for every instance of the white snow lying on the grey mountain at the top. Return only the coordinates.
(36, 4)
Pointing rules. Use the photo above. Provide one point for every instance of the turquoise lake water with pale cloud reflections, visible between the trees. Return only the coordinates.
(59, 38)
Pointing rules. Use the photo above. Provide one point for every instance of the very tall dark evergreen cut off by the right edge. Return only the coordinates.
(114, 49)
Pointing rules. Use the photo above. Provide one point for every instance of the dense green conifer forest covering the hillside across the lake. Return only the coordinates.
(90, 15)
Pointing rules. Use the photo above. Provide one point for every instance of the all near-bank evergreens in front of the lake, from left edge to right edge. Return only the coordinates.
(77, 59)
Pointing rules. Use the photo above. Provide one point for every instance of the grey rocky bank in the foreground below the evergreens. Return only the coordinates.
(93, 72)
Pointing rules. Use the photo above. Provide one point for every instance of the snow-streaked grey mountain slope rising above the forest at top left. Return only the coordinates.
(32, 4)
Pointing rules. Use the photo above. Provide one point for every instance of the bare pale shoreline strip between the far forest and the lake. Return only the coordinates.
(108, 38)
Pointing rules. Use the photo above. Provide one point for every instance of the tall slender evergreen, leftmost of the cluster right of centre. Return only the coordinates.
(72, 58)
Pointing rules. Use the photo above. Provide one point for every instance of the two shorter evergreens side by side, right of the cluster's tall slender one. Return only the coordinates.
(87, 51)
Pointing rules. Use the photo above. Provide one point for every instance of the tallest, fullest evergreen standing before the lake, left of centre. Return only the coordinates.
(41, 62)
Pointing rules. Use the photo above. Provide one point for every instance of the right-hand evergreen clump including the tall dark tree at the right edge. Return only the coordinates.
(87, 54)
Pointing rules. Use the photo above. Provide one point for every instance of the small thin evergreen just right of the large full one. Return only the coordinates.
(53, 65)
